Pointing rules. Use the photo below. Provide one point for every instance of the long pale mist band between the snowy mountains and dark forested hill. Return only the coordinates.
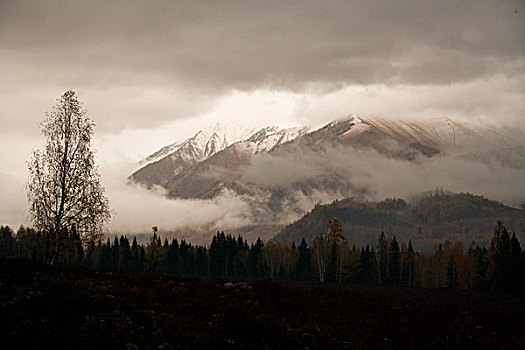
(279, 189)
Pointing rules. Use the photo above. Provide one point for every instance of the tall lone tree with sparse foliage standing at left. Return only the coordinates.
(63, 188)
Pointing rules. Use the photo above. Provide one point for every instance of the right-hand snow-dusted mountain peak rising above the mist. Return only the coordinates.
(403, 139)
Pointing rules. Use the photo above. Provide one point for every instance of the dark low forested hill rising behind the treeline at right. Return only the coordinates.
(431, 220)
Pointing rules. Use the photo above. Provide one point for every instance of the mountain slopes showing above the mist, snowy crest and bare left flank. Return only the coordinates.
(205, 164)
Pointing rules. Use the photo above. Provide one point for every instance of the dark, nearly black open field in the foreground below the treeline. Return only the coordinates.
(68, 307)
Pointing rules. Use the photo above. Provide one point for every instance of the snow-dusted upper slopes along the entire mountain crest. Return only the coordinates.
(428, 136)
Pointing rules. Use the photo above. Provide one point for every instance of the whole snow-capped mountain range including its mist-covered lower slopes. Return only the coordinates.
(284, 173)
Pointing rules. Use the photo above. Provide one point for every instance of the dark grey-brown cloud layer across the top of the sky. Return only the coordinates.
(284, 44)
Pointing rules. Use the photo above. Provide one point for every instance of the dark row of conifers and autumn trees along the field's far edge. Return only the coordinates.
(328, 259)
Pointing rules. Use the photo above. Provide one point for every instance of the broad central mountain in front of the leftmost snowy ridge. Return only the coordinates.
(284, 167)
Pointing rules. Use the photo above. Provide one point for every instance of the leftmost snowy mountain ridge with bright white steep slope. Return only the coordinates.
(171, 160)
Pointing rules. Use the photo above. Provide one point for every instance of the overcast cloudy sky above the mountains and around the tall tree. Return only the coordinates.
(153, 72)
